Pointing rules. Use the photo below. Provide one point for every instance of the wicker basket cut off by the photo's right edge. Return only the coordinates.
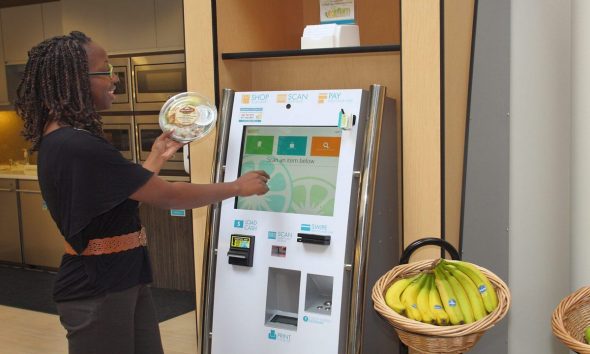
(571, 317)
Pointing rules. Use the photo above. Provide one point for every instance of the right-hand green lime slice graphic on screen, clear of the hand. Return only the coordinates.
(313, 196)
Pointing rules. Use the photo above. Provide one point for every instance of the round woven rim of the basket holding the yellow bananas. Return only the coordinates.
(408, 325)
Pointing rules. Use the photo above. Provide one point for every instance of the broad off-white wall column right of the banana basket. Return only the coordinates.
(540, 129)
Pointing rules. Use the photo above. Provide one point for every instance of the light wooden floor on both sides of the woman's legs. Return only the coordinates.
(30, 332)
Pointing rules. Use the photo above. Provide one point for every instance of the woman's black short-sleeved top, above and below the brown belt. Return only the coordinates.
(86, 184)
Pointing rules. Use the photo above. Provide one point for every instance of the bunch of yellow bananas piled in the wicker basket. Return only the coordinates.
(452, 293)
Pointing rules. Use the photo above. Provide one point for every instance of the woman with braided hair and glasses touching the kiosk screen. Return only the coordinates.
(93, 194)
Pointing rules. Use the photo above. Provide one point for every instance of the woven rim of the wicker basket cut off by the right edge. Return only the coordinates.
(567, 304)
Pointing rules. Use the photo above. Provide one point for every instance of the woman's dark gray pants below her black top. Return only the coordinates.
(116, 323)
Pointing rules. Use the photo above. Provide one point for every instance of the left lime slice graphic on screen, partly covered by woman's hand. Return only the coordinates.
(278, 197)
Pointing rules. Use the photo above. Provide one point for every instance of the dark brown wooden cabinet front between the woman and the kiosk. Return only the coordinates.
(170, 245)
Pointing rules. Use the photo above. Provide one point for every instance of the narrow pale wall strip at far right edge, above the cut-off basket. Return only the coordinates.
(580, 143)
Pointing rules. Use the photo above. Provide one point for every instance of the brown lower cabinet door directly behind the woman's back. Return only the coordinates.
(42, 242)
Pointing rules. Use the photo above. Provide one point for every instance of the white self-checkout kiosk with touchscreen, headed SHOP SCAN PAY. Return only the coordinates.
(291, 271)
